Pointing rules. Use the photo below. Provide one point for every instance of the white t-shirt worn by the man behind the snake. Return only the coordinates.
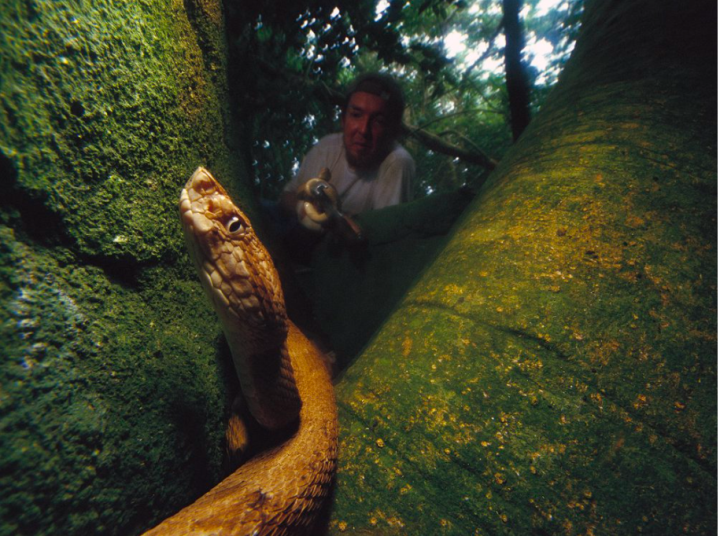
(359, 191)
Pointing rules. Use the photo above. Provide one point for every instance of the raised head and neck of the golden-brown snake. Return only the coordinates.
(239, 276)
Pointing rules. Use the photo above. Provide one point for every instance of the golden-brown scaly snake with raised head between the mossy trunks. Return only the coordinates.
(283, 377)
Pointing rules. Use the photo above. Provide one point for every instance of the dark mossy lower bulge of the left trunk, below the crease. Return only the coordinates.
(106, 392)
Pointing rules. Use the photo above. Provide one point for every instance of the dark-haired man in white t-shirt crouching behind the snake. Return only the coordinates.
(368, 167)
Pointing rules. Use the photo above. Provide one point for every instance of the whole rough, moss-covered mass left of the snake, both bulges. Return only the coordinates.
(112, 402)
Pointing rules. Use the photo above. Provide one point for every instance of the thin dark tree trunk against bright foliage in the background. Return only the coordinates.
(516, 79)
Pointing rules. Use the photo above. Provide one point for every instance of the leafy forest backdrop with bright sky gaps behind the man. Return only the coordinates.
(468, 94)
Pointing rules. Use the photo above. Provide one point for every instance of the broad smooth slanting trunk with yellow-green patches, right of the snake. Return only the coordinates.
(554, 370)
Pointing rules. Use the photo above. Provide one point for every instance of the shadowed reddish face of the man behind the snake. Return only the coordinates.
(367, 133)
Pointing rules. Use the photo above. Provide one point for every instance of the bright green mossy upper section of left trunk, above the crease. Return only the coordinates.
(106, 111)
